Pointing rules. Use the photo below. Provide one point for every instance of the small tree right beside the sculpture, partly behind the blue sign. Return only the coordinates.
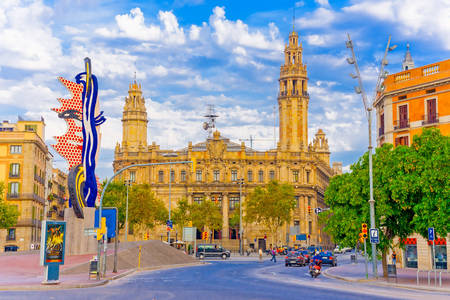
(116, 196)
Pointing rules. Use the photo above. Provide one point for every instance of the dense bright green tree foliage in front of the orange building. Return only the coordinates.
(410, 190)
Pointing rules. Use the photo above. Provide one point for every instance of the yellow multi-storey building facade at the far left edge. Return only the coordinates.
(23, 158)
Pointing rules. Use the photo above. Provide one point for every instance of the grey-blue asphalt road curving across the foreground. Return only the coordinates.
(231, 279)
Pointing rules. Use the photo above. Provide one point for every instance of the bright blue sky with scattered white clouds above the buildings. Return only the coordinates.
(190, 53)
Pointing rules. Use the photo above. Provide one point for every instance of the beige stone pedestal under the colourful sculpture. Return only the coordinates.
(76, 241)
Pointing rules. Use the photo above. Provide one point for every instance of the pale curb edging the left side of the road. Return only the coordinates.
(97, 283)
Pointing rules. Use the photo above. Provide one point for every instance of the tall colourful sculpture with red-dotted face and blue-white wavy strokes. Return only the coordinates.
(80, 144)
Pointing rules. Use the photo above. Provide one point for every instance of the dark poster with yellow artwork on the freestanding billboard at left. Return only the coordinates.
(54, 242)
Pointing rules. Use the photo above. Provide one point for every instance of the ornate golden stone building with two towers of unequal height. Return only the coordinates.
(221, 162)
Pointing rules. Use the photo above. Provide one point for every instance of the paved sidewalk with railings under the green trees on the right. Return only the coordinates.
(405, 277)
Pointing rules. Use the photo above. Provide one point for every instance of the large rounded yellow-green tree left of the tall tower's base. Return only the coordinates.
(270, 206)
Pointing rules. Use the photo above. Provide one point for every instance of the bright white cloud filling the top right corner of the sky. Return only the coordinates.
(410, 18)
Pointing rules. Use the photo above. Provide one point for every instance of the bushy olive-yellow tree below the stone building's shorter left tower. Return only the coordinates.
(144, 208)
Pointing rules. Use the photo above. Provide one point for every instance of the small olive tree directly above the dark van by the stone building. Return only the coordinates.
(206, 215)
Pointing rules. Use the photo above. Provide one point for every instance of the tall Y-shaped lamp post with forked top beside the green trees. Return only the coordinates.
(369, 108)
